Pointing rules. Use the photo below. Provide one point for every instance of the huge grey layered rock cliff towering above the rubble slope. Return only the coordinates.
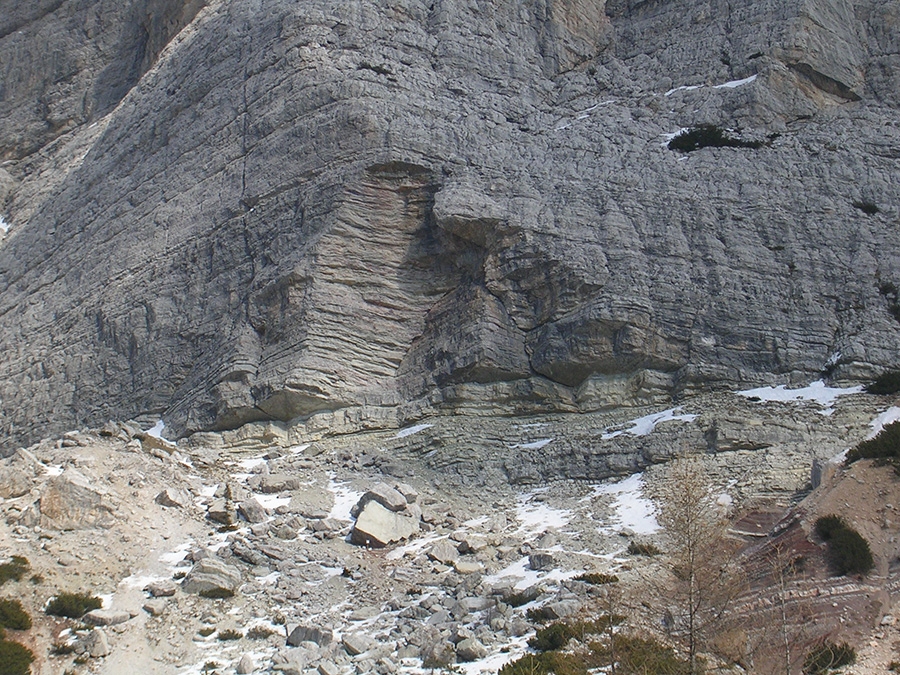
(461, 206)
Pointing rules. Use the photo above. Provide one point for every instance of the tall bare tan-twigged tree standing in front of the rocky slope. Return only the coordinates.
(706, 576)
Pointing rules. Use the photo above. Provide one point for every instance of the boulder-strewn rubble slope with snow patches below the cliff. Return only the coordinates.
(266, 513)
